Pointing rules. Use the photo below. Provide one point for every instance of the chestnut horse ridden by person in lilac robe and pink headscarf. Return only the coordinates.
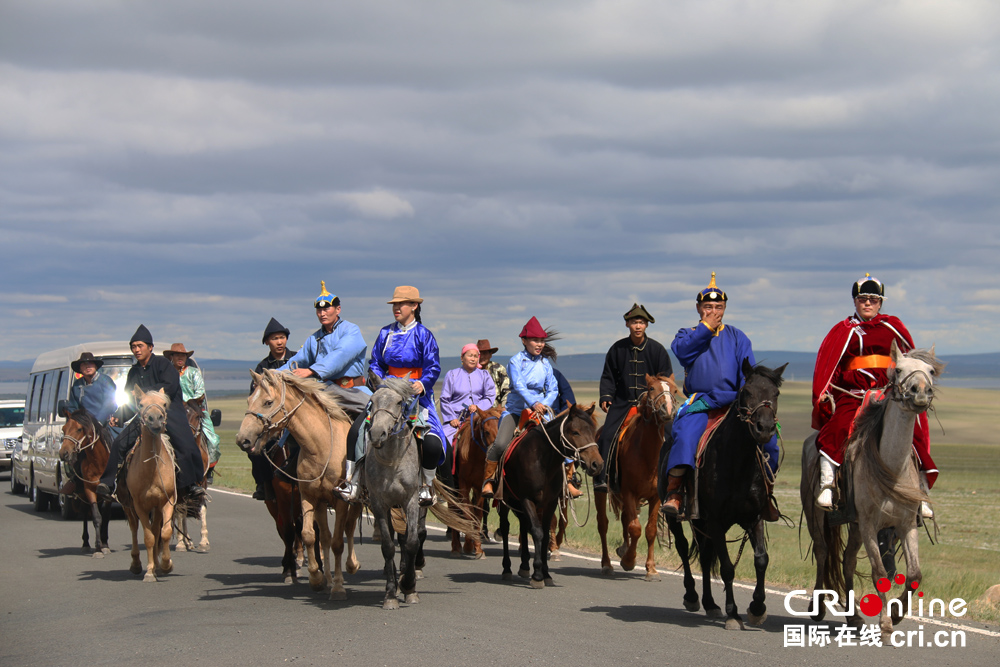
(474, 437)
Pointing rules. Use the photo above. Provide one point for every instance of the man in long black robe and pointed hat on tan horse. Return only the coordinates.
(150, 373)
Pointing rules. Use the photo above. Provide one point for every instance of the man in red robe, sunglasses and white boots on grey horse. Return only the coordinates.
(853, 358)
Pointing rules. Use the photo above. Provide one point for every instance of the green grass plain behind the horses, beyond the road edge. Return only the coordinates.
(964, 562)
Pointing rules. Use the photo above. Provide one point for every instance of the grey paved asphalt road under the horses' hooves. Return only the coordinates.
(229, 607)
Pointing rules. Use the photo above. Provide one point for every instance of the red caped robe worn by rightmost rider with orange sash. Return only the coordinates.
(838, 389)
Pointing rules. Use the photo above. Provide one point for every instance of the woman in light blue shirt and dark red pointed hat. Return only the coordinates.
(533, 389)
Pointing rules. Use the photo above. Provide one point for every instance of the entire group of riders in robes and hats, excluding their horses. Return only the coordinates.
(853, 358)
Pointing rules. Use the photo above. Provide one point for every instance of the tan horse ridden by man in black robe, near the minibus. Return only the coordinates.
(149, 494)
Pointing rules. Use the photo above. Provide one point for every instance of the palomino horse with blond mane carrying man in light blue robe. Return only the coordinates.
(318, 423)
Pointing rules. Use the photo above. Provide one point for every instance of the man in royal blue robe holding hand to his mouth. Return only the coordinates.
(712, 354)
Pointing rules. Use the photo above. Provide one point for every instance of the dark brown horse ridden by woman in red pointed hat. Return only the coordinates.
(533, 480)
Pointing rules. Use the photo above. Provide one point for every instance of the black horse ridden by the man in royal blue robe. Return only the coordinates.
(732, 491)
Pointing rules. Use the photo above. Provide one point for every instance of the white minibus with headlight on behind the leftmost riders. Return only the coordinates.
(35, 464)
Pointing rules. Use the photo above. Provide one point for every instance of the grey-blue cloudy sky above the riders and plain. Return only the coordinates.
(201, 166)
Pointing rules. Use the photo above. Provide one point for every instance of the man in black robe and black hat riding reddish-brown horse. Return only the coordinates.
(624, 379)
